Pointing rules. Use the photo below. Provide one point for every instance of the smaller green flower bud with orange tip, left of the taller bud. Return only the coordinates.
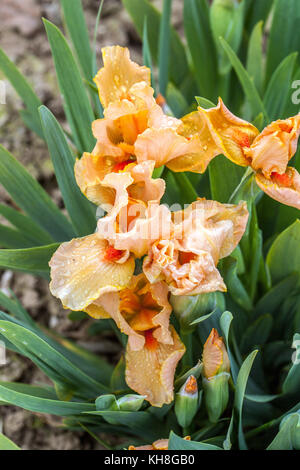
(186, 402)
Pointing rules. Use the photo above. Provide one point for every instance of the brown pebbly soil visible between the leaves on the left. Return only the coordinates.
(23, 38)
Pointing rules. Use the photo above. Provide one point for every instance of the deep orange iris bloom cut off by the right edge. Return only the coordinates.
(267, 153)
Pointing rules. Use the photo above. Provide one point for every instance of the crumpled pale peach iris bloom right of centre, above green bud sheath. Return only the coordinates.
(201, 235)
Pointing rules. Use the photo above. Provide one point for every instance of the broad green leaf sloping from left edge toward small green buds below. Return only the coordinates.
(58, 368)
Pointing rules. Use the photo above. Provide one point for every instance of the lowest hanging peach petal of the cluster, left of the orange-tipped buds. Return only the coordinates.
(150, 371)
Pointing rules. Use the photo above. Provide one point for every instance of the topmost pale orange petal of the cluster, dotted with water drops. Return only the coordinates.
(118, 75)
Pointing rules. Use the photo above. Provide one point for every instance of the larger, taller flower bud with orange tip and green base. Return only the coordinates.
(216, 367)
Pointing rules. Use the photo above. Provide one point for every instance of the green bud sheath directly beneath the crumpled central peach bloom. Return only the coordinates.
(189, 308)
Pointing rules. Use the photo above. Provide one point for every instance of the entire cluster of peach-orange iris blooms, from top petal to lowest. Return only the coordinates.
(180, 250)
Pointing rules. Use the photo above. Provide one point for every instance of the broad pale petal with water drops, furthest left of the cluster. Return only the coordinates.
(81, 271)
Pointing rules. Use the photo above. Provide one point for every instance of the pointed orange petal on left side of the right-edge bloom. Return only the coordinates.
(231, 134)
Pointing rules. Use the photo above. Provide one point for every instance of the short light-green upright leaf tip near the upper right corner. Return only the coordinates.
(255, 57)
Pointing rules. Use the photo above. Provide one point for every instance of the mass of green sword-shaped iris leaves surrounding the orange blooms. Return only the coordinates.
(259, 316)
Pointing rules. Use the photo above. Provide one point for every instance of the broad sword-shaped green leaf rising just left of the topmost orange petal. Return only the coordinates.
(76, 102)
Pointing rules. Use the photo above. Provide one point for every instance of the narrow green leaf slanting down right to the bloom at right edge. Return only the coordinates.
(246, 81)
